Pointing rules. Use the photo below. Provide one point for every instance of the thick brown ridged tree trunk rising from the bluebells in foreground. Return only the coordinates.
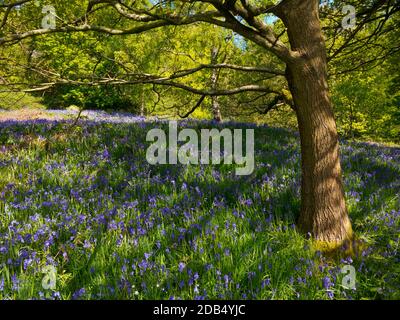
(323, 209)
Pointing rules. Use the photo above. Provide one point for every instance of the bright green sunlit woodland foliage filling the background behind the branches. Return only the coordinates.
(363, 68)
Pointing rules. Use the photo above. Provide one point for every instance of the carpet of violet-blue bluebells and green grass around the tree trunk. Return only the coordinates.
(84, 200)
